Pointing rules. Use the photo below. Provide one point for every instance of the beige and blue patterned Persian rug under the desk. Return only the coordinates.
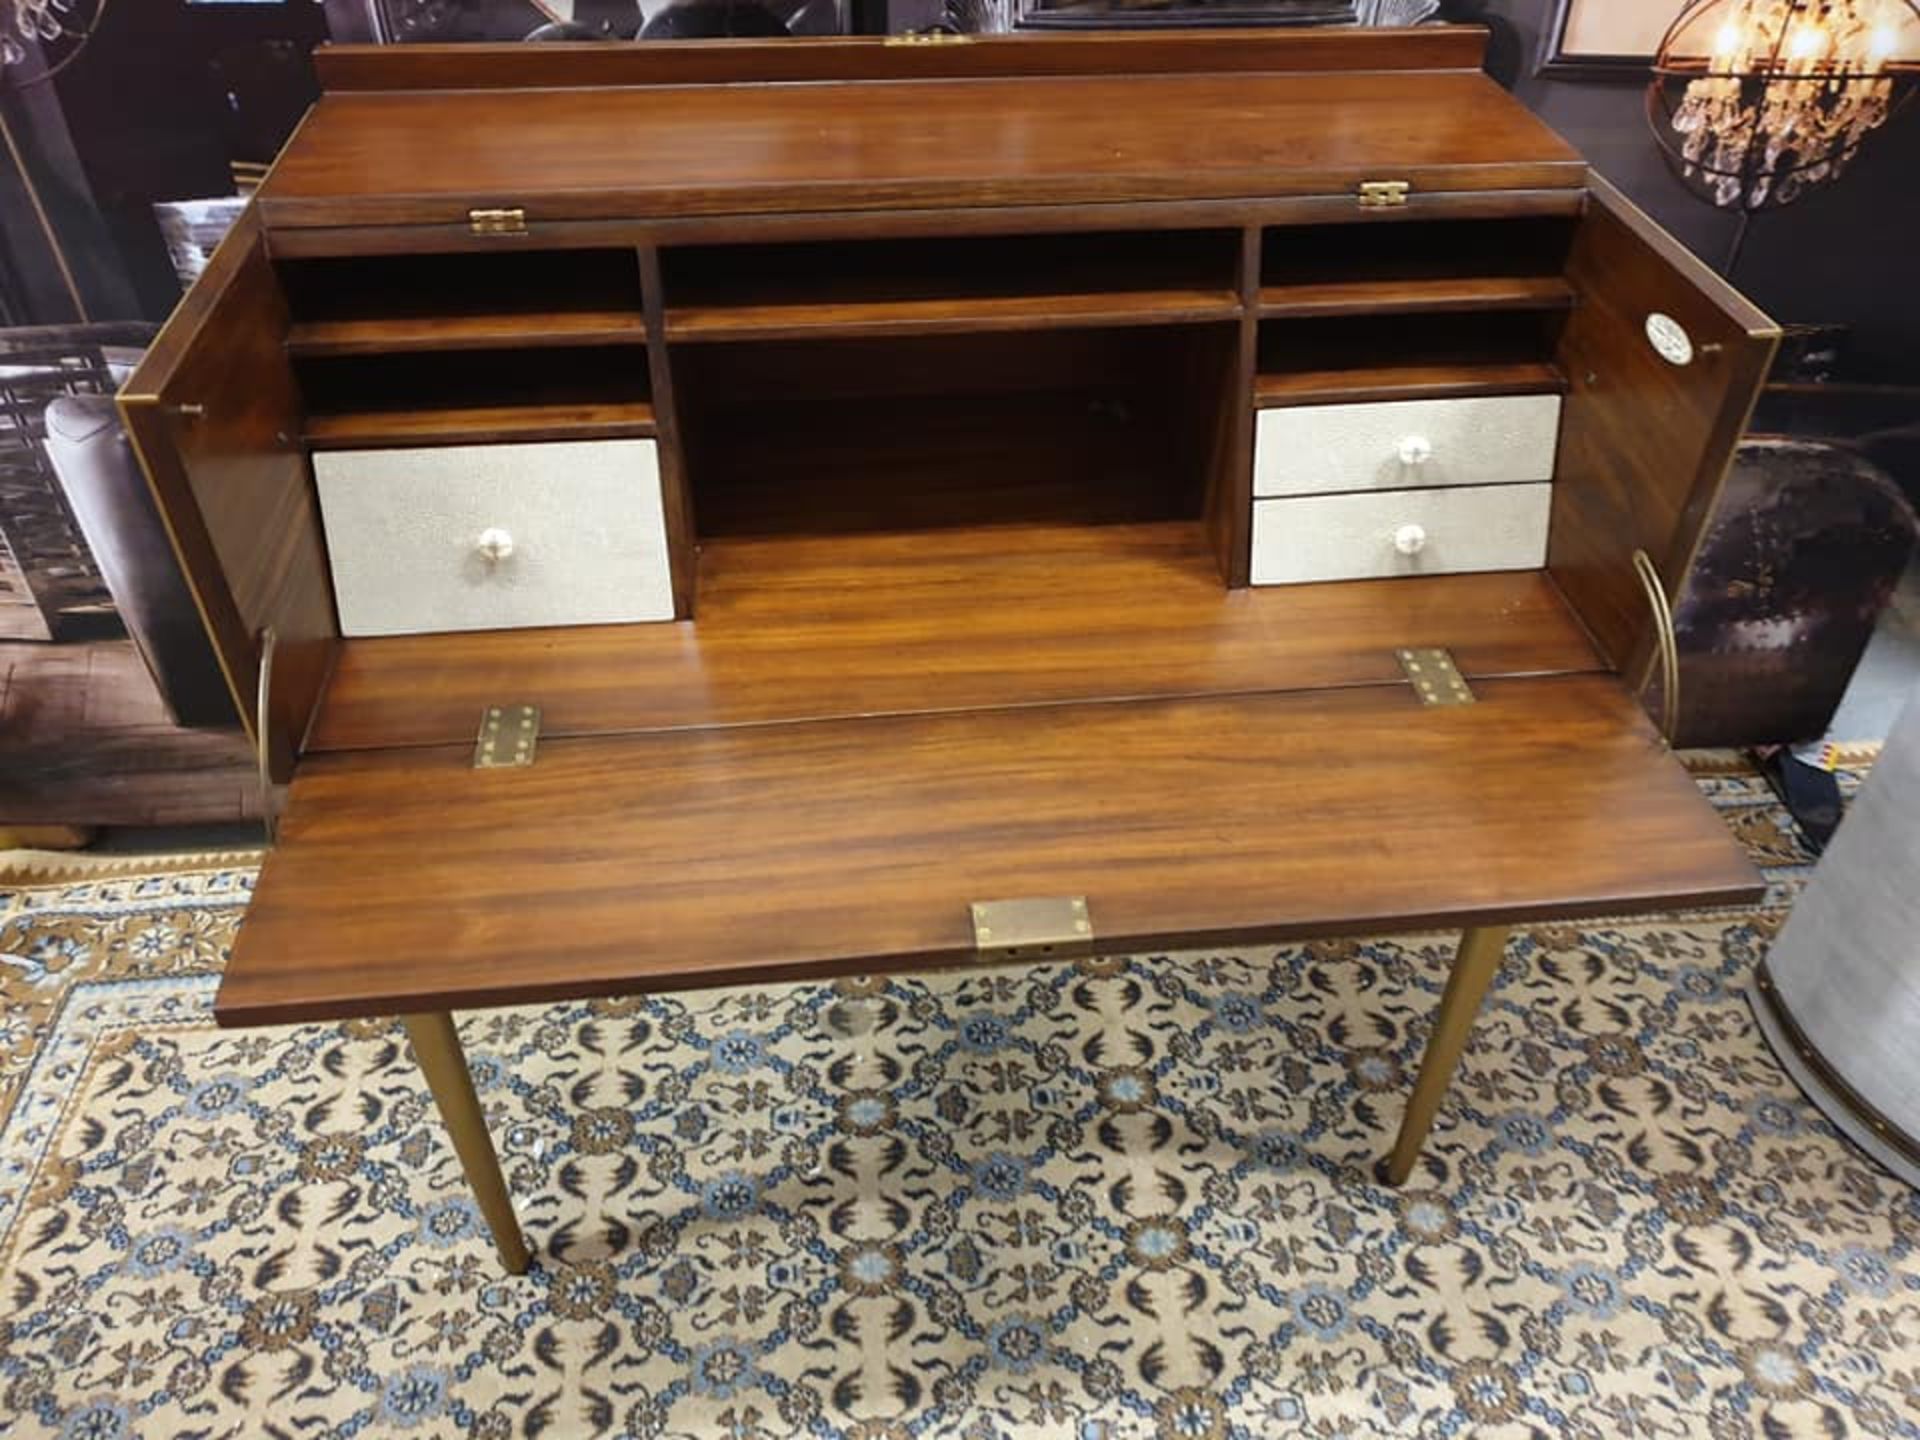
(1122, 1199)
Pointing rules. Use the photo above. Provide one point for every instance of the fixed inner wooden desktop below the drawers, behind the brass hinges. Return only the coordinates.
(802, 629)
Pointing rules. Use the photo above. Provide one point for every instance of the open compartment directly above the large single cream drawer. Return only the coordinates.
(477, 396)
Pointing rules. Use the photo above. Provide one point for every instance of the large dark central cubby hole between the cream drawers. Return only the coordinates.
(967, 431)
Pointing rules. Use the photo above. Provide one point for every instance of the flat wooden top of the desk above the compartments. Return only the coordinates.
(769, 149)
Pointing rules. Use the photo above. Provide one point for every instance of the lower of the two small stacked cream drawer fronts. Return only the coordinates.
(1401, 533)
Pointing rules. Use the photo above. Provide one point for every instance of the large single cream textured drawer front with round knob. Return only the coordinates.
(496, 537)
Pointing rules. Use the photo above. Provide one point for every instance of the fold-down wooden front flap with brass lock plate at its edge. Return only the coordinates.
(410, 882)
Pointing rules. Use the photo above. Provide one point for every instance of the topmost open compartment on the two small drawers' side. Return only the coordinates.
(1416, 266)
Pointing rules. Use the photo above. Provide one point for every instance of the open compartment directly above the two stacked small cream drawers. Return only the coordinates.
(1318, 362)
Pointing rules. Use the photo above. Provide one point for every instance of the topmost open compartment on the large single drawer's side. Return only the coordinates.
(372, 304)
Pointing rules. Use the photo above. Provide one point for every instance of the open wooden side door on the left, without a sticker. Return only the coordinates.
(216, 420)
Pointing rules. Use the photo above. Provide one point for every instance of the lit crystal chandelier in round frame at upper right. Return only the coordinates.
(1758, 103)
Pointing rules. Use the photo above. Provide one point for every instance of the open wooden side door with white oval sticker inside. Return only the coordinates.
(1664, 364)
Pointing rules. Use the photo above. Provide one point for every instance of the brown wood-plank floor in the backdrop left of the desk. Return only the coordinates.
(85, 740)
